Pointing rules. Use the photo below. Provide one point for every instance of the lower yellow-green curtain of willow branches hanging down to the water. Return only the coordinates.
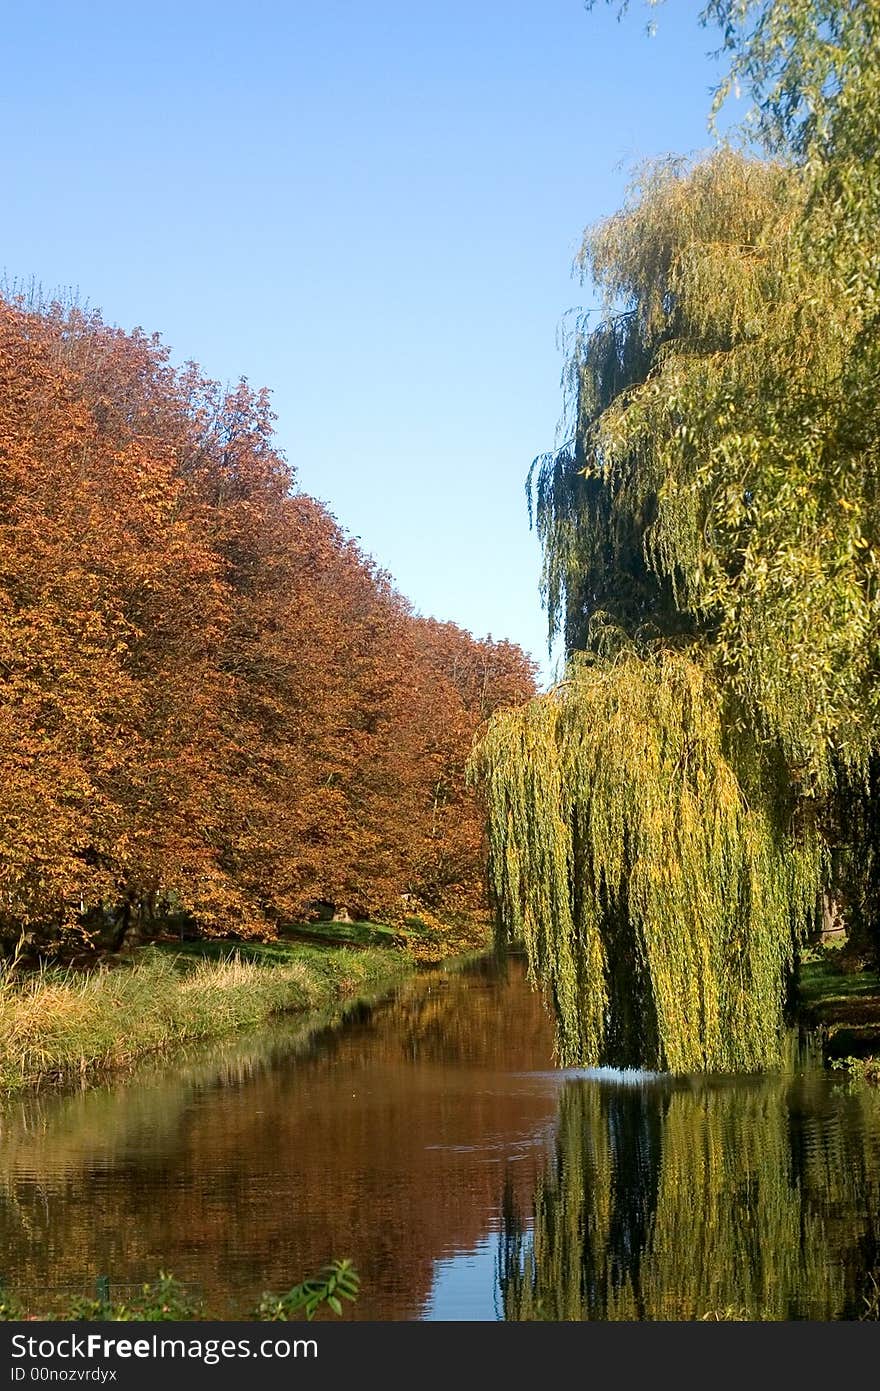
(658, 906)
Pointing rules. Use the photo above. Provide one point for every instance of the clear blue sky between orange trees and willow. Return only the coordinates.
(369, 208)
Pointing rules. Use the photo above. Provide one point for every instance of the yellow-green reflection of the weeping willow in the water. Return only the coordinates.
(758, 1201)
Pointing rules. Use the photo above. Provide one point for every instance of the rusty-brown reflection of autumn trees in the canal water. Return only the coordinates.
(383, 1141)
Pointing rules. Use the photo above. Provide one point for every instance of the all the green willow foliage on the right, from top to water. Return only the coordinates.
(661, 824)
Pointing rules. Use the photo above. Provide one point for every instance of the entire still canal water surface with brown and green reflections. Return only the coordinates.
(429, 1139)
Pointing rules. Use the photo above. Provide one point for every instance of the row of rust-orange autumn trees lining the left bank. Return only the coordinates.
(211, 700)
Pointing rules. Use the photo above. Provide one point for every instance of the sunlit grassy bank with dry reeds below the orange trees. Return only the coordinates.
(60, 1026)
